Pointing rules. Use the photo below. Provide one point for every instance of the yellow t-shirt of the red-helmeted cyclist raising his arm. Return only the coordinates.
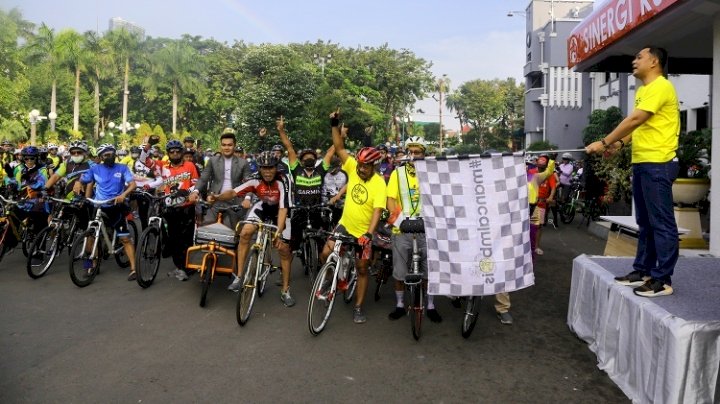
(361, 199)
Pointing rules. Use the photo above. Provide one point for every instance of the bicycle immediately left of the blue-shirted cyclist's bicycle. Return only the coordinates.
(58, 235)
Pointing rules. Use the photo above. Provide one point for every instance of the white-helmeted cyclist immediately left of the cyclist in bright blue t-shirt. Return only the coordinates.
(71, 171)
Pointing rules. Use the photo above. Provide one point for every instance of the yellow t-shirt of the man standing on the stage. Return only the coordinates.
(656, 140)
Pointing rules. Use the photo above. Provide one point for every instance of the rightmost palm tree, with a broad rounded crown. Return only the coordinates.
(180, 66)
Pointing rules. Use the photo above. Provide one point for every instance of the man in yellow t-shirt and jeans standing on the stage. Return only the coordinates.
(653, 127)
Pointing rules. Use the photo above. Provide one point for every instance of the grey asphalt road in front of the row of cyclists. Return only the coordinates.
(115, 342)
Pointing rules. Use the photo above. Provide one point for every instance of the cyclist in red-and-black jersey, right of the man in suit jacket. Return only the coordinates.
(271, 189)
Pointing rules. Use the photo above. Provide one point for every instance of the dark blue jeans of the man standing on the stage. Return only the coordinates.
(658, 240)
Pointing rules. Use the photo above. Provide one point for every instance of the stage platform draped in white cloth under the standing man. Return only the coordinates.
(657, 350)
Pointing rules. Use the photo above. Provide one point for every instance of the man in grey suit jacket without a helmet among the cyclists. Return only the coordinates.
(221, 173)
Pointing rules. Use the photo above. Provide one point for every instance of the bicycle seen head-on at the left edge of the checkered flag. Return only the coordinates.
(413, 279)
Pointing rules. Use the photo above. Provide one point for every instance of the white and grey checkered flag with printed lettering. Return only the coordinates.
(477, 224)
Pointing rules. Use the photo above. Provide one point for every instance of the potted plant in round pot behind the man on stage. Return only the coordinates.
(694, 153)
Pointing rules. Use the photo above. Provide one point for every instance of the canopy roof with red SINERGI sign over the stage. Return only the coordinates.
(608, 39)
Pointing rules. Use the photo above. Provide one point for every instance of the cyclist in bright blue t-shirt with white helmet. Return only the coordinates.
(112, 181)
